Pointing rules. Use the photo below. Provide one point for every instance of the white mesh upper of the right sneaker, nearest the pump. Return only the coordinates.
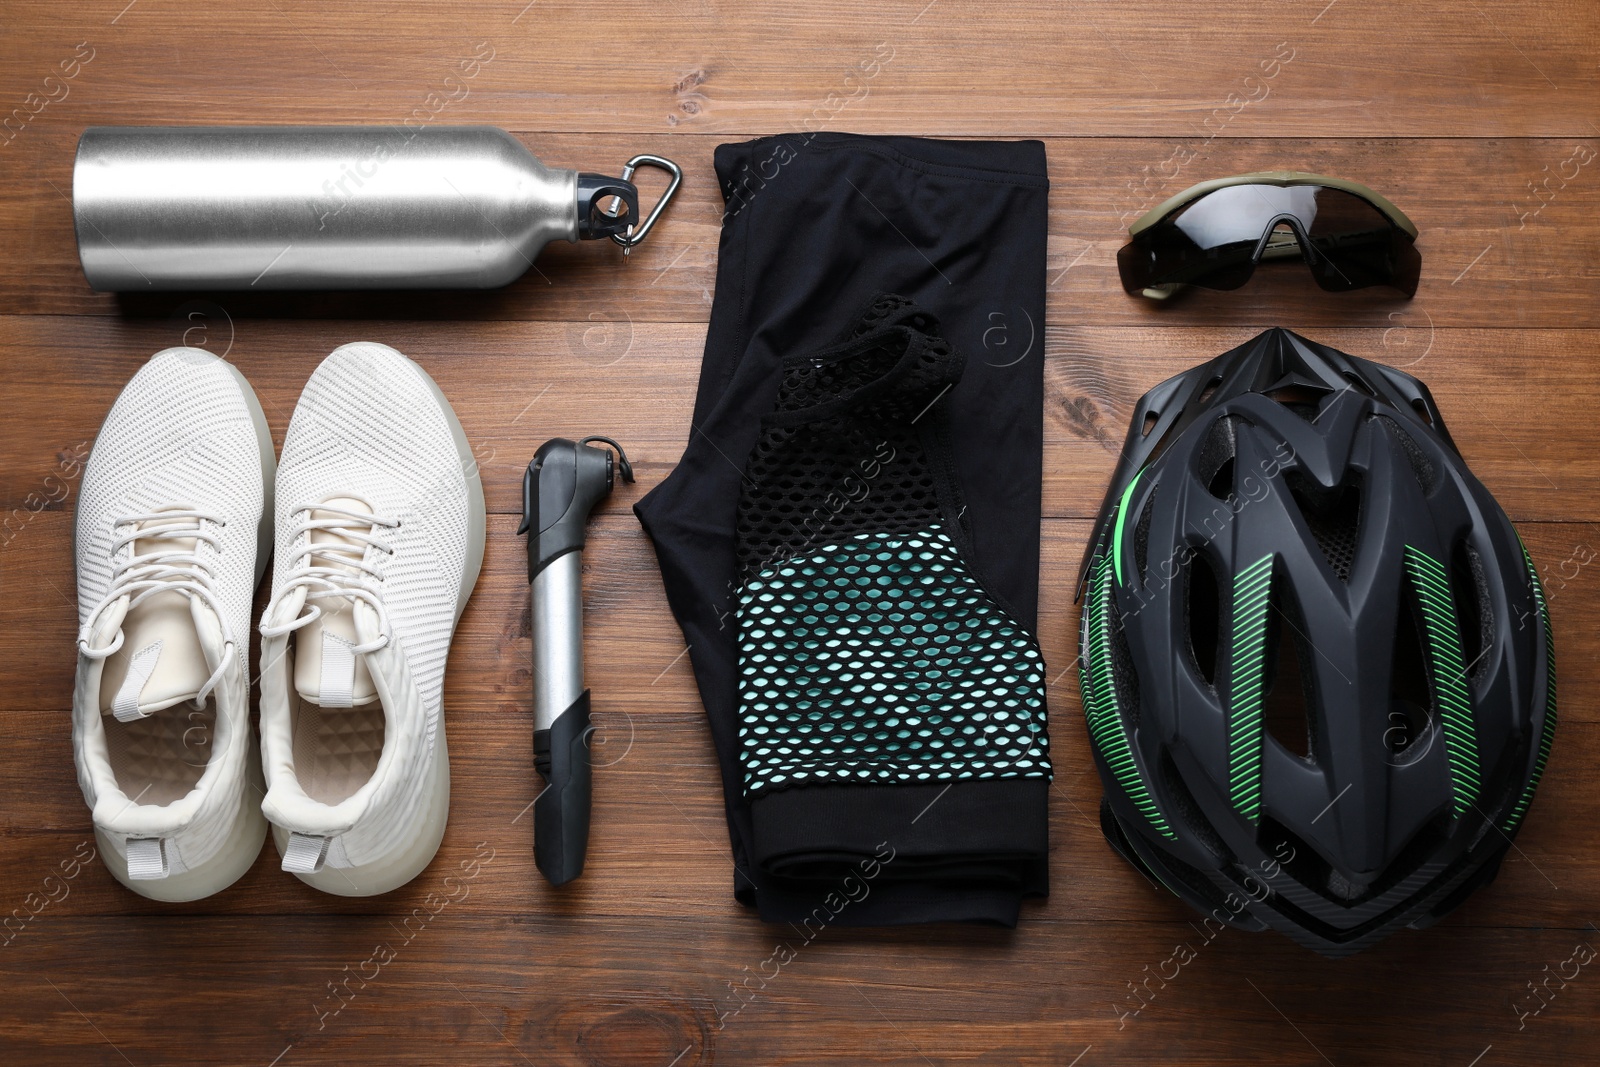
(369, 430)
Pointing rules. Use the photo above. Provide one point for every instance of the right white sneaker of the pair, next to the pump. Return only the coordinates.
(380, 540)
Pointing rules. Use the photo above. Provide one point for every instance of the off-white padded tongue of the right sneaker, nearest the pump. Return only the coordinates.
(327, 669)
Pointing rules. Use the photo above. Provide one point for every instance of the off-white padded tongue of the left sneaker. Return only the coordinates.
(172, 644)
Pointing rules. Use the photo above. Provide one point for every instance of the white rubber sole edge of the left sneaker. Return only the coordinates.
(249, 831)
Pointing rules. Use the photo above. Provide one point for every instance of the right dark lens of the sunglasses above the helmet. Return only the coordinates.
(1356, 246)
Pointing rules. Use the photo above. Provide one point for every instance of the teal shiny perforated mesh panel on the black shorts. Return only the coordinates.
(882, 660)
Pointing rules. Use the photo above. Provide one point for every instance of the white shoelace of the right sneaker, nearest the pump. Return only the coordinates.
(335, 569)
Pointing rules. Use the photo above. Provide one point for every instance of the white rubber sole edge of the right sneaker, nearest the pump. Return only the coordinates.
(409, 863)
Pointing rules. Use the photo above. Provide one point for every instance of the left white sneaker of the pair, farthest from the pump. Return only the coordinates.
(170, 543)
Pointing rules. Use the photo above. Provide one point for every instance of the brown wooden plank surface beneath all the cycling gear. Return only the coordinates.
(1478, 119)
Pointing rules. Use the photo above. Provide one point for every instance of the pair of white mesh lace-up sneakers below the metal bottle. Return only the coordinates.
(377, 537)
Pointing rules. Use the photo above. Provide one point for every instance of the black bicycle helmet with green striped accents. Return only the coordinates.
(1316, 657)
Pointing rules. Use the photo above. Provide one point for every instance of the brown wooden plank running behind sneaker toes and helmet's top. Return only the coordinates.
(1518, 401)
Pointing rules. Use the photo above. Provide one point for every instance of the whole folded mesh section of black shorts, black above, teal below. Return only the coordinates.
(870, 652)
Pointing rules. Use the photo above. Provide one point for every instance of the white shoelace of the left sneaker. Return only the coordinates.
(167, 570)
